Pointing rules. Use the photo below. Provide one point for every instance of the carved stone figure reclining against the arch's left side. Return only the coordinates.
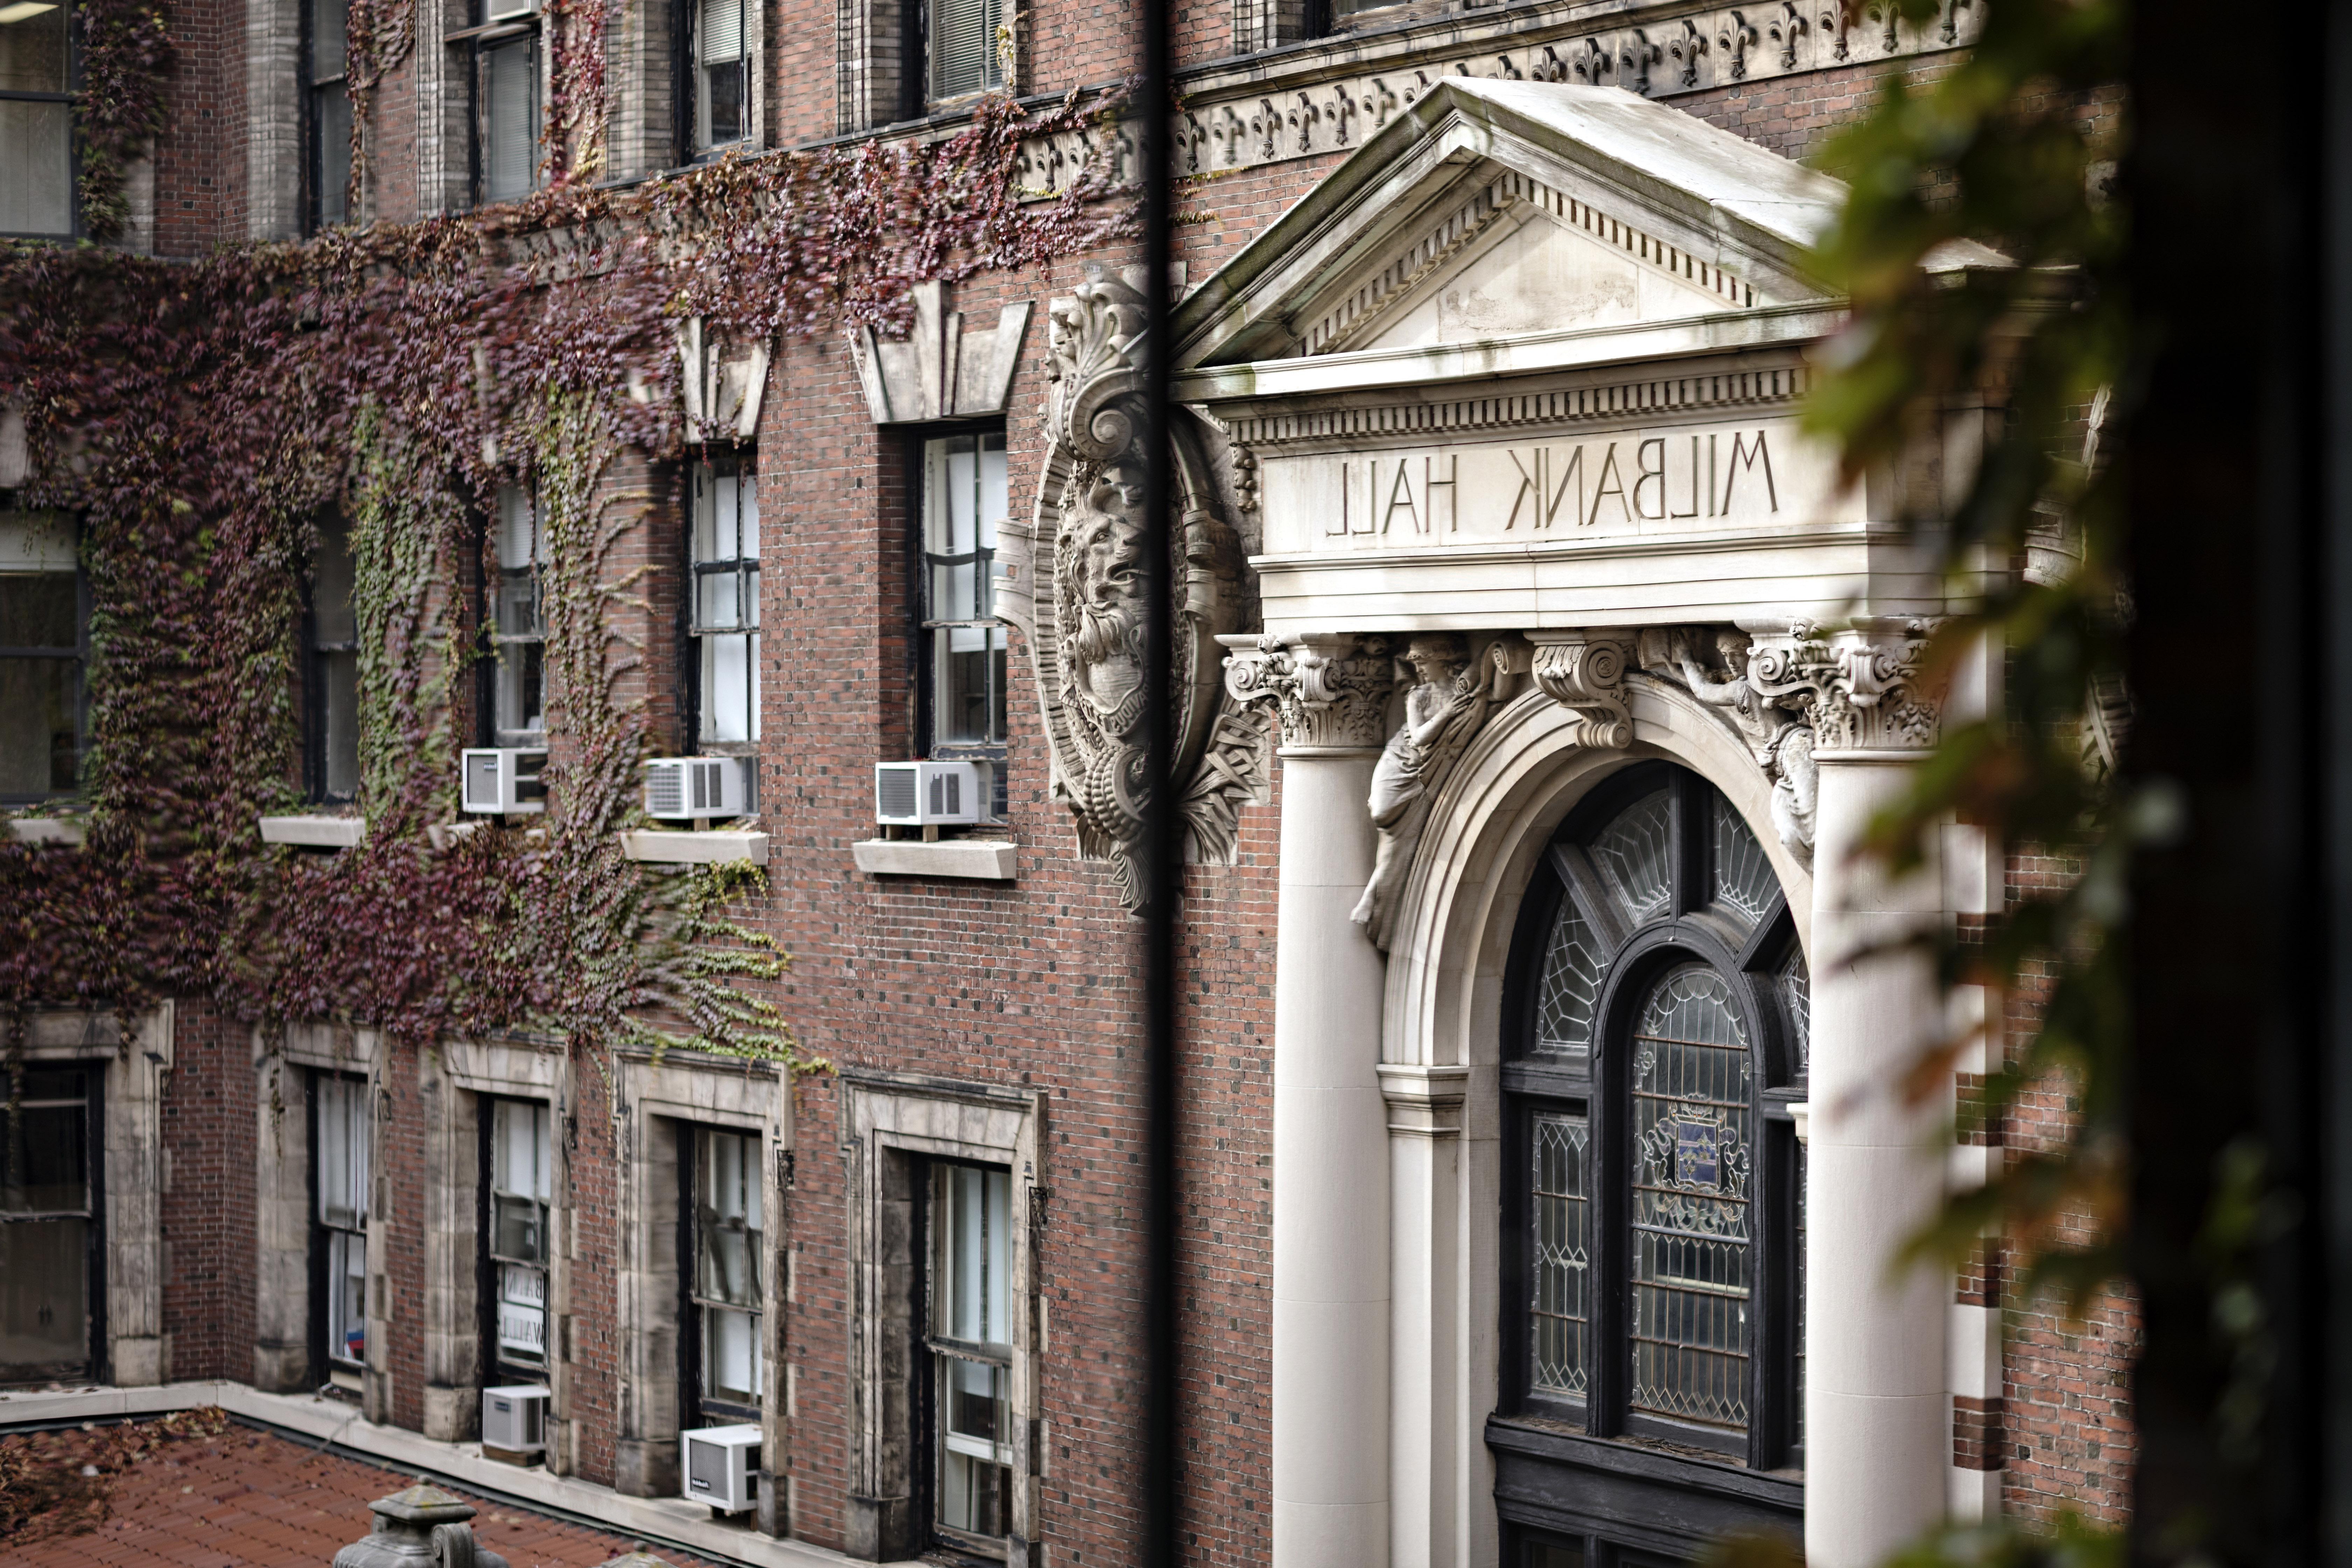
(1443, 709)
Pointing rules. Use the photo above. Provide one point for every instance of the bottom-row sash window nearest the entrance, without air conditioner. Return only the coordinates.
(973, 1358)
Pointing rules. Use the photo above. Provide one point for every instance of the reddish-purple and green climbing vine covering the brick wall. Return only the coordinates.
(199, 422)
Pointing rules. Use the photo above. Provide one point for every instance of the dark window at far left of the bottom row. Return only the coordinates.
(51, 1257)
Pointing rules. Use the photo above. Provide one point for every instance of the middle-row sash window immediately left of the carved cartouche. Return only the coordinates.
(965, 657)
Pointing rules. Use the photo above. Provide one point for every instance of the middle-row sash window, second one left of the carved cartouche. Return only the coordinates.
(726, 605)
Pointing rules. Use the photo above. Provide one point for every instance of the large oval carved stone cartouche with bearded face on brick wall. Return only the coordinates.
(1076, 587)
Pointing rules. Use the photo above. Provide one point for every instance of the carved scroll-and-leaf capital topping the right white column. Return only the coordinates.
(1859, 688)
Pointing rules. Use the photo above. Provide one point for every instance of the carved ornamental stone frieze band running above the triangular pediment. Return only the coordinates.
(1276, 109)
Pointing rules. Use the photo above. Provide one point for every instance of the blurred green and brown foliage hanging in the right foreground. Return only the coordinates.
(2012, 149)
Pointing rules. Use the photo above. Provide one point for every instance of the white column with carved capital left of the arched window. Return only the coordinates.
(1330, 1463)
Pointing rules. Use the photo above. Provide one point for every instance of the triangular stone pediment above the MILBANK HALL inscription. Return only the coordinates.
(1495, 210)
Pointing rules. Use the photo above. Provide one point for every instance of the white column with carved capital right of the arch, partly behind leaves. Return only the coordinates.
(1878, 1426)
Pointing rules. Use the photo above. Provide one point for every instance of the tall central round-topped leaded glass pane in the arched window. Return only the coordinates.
(1690, 1202)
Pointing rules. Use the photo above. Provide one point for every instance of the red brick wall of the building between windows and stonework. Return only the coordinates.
(1027, 984)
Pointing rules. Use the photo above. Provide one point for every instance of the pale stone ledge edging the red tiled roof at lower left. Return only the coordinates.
(671, 1522)
